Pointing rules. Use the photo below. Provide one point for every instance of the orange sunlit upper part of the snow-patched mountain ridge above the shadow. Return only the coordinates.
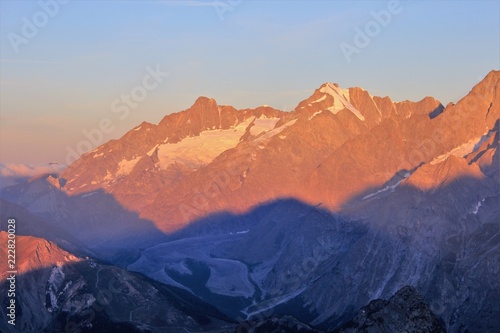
(149, 169)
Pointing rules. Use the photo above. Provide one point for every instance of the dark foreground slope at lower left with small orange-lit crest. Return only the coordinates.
(59, 292)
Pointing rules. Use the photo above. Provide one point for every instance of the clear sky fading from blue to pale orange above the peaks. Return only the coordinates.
(65, 78)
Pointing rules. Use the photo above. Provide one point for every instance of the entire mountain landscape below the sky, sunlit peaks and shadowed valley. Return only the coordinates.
(351, 213)
